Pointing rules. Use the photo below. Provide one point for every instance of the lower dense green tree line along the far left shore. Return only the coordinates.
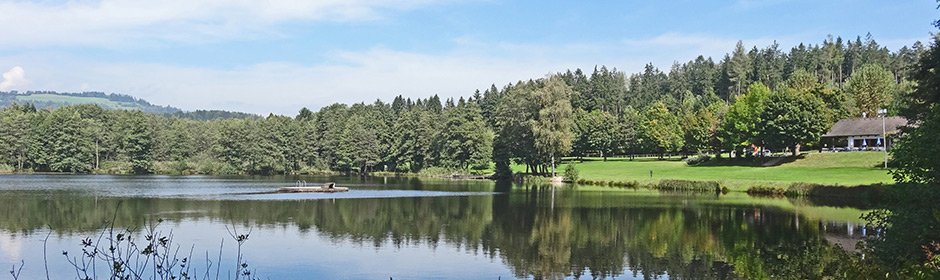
(403, 136)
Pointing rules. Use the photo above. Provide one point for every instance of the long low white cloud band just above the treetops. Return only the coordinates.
(350, 77)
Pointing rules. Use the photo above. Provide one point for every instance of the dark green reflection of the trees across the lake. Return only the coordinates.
(578, 234)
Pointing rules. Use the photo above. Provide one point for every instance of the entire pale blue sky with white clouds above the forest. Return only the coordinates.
(278, 56)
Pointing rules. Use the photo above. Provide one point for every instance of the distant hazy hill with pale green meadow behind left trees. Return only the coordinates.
(113, 101)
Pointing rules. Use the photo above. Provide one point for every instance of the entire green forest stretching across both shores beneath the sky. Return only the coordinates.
(761, 97)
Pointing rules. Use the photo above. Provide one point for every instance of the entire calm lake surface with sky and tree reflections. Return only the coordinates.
(409, 228)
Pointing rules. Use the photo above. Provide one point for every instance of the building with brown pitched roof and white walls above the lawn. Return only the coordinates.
(862, 133)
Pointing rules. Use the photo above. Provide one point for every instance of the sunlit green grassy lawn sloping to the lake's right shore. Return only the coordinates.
(845, 169)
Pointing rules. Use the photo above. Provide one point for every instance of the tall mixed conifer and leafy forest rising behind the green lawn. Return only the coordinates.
(757, 98)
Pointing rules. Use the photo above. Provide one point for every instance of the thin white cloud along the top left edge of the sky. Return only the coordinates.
(116, 23)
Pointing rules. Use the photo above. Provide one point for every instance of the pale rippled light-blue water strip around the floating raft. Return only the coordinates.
(208, 187)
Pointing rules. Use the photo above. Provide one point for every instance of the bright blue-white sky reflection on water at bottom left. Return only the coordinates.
(278, 252)
